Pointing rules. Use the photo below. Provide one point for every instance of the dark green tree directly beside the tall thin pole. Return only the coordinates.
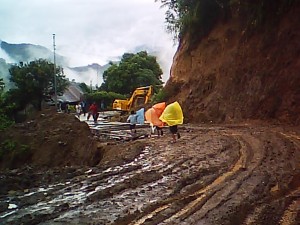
(35, 81)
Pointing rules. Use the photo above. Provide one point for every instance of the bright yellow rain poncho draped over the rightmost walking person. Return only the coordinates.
(172, 115)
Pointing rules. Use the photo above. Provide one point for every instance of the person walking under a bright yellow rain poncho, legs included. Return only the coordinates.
(173, 116)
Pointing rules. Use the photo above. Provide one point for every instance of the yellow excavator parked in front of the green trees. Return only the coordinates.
(138, 99)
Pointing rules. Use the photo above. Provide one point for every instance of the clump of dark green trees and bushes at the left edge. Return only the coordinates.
(32, 83)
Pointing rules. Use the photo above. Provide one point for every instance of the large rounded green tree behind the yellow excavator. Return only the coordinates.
(134, 70)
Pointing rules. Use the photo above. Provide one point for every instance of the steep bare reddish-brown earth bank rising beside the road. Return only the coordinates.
(235, 74)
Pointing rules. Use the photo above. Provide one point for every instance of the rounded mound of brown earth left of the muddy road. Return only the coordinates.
(50, 139)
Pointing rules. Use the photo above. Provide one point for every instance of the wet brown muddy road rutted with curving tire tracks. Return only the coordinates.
(243, 174)
